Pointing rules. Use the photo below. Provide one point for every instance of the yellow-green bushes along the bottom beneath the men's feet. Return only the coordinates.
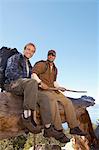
(24, 142)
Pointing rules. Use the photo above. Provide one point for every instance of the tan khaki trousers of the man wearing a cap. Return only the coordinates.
(68, 108)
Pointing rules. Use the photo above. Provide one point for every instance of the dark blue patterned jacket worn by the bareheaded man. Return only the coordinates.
(16, 68)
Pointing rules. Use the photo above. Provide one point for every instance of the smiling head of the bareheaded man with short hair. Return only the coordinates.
(29, 50)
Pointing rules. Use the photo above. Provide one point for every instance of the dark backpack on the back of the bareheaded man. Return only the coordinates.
(5, 53)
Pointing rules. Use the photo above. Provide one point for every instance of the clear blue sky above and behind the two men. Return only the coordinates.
(68, 26)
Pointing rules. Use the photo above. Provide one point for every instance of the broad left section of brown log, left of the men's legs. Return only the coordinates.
(10, 115)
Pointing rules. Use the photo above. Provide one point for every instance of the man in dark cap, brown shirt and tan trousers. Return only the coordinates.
(45, 73)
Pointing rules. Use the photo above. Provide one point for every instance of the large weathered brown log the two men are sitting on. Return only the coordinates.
(11, 108)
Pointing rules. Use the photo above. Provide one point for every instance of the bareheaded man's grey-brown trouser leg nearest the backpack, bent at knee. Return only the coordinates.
(27, 88)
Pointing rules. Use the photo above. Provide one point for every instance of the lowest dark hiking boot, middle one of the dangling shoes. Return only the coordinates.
(58, 135)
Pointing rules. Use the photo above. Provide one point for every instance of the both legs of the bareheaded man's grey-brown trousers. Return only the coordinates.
(29, 89)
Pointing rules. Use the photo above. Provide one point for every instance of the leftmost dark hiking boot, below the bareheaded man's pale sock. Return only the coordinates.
(28, 124)
